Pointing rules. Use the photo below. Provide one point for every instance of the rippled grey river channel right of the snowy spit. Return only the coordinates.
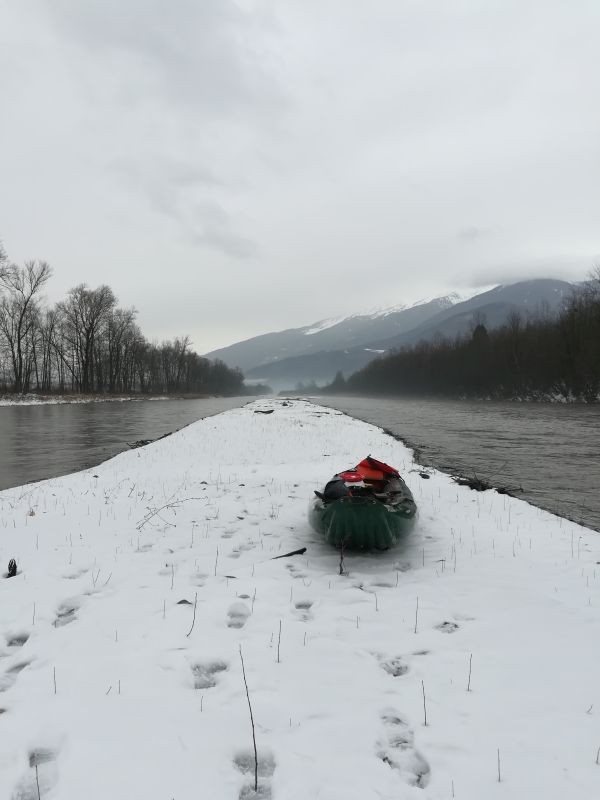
(552, 451)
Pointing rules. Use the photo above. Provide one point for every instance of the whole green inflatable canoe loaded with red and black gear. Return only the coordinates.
(368, 507)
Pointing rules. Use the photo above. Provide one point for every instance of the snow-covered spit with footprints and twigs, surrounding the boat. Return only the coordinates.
(111, 688)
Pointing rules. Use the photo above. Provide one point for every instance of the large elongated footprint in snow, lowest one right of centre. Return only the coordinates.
(396, 748)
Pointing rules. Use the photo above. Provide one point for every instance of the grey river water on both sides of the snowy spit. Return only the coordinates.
(552, 451)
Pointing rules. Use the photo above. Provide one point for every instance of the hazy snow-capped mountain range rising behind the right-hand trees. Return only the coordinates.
(317, 352)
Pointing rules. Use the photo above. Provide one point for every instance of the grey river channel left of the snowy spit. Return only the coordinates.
(44, 441)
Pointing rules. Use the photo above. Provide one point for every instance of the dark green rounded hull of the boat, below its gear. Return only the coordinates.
(362, 523)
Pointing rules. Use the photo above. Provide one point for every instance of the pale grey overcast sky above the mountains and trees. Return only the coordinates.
(232, 168)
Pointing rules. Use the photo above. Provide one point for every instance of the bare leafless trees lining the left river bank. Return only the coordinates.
(86, 343)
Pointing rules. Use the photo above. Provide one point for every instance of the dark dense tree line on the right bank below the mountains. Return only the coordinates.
(533, 357)
